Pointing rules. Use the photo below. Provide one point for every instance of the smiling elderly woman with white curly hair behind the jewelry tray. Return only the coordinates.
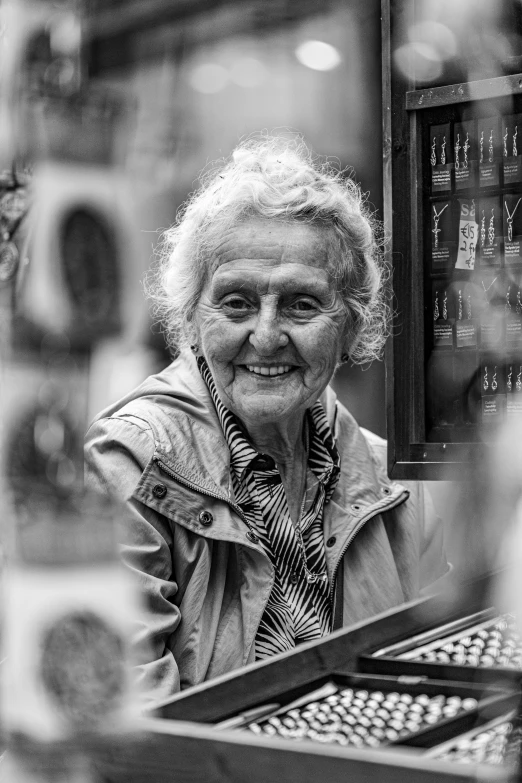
(262, 514)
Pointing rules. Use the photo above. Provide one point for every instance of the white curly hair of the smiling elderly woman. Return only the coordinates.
(276, 178)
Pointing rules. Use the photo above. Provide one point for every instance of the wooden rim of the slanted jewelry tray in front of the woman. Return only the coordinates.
(184, 746)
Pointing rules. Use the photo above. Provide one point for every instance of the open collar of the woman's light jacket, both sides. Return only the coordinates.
(189, 439)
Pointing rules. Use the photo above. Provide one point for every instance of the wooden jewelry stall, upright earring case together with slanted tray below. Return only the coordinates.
(429, 691)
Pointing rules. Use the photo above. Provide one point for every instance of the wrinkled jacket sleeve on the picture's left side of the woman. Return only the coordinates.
(116, 452)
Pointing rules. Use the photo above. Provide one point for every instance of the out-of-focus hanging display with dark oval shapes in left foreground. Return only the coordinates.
(70, 269)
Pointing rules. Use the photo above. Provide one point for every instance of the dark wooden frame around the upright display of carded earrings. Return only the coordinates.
(408, 112)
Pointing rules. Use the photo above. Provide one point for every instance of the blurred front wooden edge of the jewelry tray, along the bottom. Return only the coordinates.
(175, 752)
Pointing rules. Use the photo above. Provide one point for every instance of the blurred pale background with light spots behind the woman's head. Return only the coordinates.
(205, 76)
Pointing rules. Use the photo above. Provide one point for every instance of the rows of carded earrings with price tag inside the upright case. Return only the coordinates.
(472, 269)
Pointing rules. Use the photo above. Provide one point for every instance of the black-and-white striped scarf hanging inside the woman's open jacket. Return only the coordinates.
(297, 611)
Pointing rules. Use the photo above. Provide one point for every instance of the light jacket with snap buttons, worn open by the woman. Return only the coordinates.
(205, 580)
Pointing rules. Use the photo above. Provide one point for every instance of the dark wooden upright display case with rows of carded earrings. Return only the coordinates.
(453, 180)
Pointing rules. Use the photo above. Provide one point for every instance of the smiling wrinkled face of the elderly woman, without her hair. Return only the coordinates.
(270, 322)
